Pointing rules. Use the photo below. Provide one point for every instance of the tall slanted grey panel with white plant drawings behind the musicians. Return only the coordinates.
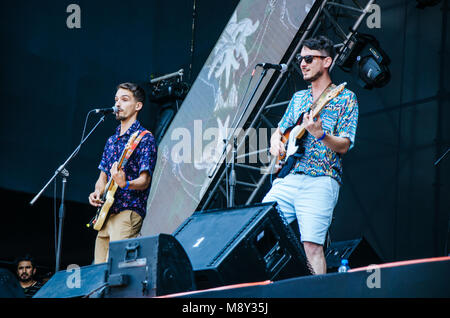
(257, 32)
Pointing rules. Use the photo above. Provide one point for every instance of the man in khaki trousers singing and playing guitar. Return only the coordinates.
(126, 168)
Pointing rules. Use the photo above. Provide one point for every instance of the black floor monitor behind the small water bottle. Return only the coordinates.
(358, 252)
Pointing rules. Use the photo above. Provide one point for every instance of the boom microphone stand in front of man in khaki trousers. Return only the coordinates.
(64, 173)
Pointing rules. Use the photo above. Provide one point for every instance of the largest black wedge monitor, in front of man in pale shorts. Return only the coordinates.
(239, 245)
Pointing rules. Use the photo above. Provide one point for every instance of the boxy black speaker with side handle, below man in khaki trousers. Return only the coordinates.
(148, 266)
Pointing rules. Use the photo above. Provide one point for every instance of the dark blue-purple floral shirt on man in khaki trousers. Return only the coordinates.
(142, 159)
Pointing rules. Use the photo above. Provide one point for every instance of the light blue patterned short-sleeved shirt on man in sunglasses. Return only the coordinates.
(339, 118)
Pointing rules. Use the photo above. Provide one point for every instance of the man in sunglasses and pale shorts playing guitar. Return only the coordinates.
(309, 190)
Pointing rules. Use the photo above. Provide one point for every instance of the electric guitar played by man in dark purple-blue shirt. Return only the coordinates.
(110, 189)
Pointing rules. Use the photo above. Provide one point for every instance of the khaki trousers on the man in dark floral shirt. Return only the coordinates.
(124, 225)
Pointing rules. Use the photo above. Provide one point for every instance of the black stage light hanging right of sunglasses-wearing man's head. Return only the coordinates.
(363, 56)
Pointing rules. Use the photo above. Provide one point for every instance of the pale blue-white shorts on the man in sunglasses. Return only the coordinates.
(309, 199)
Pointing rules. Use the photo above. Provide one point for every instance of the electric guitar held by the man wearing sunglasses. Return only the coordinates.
(291, 138)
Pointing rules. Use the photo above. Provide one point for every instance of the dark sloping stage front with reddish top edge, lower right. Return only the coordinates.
(421, 278)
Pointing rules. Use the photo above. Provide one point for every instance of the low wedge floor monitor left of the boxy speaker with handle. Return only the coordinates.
(75, 282)
